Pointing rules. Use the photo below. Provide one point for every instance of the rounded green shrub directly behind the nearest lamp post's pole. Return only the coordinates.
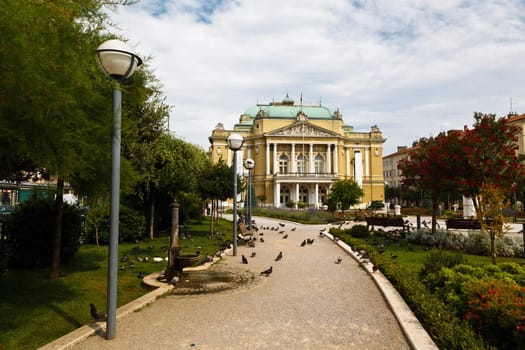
(132, 225)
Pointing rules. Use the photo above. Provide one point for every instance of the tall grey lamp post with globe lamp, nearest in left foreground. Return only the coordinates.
(119, 63)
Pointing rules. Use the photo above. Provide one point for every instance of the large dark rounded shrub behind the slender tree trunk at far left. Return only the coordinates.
(29, 230)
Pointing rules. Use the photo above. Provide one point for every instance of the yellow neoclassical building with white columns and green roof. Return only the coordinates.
(300, 150)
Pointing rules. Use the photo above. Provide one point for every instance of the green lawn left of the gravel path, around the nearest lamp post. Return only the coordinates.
(35, 310)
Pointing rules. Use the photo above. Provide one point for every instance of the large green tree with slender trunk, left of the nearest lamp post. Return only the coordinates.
(54, 100)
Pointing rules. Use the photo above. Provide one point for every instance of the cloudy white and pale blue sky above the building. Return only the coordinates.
(413, 68)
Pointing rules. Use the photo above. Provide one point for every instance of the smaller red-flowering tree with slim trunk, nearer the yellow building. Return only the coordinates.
(433, 166)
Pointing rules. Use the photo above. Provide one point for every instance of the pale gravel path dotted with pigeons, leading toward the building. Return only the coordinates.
(308, 302)
